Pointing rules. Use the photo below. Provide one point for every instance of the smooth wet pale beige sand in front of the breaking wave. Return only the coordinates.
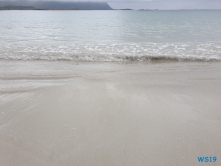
(109, 114)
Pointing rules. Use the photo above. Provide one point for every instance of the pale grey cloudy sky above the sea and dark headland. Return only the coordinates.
(157, 4)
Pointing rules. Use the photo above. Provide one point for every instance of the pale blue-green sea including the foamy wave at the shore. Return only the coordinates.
(110, 35)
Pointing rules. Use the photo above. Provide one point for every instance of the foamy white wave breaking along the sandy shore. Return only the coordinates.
(115, 52)
